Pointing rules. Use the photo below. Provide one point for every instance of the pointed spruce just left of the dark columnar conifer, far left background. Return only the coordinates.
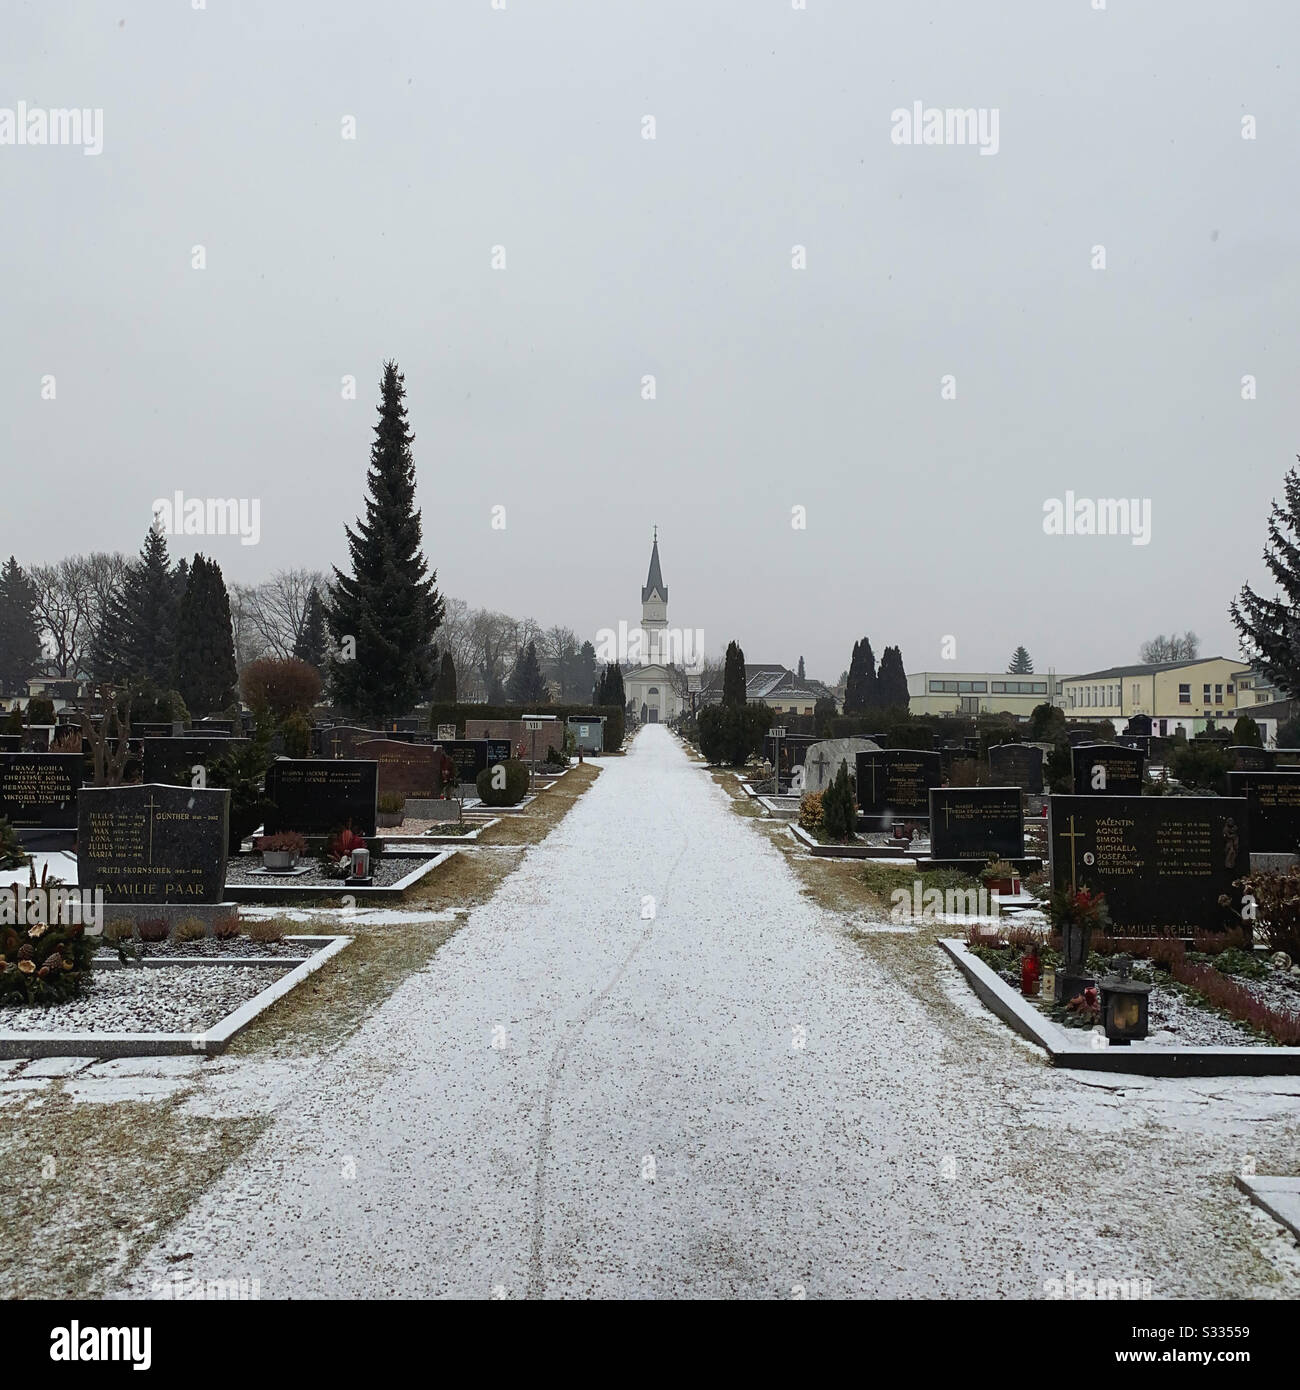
(138, 637)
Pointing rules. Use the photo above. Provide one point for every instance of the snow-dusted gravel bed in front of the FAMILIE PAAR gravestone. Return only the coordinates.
(163, 1000)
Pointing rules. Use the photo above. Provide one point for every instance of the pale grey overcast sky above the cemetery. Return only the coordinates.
(775, 387)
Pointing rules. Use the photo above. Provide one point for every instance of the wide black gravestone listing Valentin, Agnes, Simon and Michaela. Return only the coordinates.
(1160, 861)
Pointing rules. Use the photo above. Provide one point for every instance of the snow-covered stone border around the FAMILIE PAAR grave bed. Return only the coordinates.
(177, 1045)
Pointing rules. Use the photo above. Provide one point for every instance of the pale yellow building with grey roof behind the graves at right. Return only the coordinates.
(1174, 694)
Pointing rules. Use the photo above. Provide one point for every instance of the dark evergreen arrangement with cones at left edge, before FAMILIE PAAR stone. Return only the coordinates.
(41, 961)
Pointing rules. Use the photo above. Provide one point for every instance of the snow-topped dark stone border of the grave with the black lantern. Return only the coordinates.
(1063, 1050)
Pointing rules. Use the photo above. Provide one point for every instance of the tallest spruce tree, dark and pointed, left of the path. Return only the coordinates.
(383, 616)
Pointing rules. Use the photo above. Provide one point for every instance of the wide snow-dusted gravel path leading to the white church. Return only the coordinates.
(731, 1096)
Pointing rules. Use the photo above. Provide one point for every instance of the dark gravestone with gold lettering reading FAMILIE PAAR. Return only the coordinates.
(155, 851)
